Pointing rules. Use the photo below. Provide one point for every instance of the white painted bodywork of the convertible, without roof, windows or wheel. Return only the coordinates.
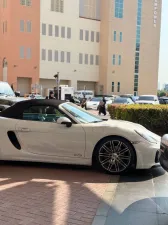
(72, 145)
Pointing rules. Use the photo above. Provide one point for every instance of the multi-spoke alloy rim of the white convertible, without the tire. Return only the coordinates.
(115, 156)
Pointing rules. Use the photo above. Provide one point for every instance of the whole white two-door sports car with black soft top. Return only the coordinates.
(61, 132)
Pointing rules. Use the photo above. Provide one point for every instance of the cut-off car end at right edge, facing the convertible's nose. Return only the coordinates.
(163, 153)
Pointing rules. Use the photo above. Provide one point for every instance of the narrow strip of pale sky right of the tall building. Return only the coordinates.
(163, 62)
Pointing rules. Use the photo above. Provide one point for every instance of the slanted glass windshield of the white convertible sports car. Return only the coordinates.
(81, 115)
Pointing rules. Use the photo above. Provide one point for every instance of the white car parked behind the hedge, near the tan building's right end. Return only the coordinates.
(148, 99)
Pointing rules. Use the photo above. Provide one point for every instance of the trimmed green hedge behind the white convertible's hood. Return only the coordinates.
(153, 117)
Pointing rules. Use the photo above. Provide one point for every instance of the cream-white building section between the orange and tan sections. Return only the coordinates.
(69, 45)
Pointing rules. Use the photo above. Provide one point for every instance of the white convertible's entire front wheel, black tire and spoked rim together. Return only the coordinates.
(114, 155)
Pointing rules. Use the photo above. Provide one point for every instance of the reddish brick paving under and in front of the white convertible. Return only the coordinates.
(50, 194)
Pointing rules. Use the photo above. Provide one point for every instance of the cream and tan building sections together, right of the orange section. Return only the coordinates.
(110, 46)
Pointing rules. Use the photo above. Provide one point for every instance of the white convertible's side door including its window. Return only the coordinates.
(40, 134)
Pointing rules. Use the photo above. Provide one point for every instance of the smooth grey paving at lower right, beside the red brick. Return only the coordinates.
(140, 200)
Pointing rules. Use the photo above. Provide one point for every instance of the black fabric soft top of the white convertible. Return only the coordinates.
(16, 111)
